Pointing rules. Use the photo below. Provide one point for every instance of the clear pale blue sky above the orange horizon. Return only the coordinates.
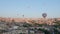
(30, 8)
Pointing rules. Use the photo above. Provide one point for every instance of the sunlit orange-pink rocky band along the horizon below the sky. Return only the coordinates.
(29, 20)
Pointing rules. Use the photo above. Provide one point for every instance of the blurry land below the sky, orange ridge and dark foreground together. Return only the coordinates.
(29, 25)
